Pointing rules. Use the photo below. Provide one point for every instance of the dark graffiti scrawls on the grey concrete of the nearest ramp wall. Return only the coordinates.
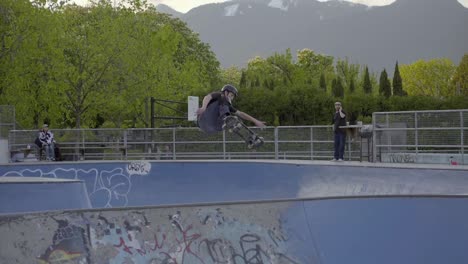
(169, 236)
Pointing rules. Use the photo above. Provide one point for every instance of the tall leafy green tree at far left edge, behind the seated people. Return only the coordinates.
(29, 60)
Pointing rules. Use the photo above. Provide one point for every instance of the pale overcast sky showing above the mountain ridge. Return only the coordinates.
(185, 5)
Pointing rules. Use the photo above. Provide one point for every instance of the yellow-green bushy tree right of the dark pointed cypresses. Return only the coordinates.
(432, 77)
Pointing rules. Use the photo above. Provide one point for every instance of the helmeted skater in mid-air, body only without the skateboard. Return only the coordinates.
(216, 106)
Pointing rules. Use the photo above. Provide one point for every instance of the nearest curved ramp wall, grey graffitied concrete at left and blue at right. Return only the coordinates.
(357, 230)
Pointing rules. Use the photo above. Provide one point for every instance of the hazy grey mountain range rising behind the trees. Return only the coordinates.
(404, 31)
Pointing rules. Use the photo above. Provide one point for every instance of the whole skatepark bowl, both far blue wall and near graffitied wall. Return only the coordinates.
(233, 212)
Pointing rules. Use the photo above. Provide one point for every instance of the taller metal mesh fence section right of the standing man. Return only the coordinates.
(421, 136)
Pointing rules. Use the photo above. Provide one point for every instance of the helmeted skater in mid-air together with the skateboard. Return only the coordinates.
(217, 113)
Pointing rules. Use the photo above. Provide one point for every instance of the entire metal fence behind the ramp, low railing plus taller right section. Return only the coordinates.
(399, 137)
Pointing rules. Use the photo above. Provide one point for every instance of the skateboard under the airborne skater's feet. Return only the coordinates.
(234, 125)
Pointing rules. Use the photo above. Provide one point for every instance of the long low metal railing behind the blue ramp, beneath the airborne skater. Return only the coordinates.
(298, 142)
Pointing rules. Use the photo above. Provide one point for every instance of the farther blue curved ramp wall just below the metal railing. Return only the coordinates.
(142, 183)
